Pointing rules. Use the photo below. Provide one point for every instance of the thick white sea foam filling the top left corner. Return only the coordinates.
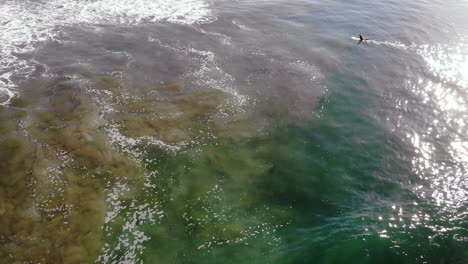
(27, 24)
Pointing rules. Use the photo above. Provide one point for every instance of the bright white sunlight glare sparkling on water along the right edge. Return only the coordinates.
(443, 169)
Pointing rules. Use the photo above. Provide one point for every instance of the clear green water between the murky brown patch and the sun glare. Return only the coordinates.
(318, 191)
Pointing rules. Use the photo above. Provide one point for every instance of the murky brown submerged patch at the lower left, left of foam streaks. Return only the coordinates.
(55, 162)
